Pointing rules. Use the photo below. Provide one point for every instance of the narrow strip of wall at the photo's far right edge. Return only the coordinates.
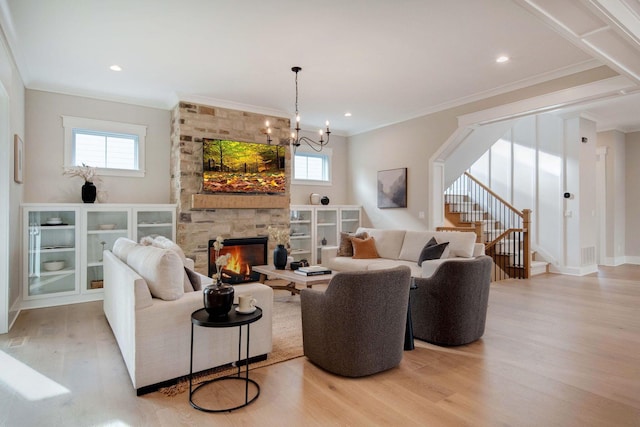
(632, 220)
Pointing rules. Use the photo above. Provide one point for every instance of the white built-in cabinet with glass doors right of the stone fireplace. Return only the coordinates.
(315, 226)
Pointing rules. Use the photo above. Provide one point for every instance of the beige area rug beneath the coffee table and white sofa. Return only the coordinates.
(286, 336)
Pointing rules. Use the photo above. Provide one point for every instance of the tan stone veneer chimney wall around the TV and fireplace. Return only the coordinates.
(189, 125)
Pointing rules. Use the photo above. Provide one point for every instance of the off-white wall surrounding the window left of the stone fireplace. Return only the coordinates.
(44, 143)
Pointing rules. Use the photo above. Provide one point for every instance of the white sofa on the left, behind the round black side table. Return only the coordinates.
(154, 334)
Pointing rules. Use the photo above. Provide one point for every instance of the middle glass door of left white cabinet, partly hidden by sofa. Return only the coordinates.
(103, 228)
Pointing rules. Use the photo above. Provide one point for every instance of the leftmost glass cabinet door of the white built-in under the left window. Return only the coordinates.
(51, 255)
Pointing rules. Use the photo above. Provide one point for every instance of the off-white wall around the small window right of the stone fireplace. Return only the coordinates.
(338, 191)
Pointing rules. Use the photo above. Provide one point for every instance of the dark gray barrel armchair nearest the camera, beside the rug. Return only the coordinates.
(356, 327)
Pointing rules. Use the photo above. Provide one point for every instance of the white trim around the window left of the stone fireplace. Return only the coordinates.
(69, 123)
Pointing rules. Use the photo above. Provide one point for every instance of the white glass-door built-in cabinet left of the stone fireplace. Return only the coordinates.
(63, 245)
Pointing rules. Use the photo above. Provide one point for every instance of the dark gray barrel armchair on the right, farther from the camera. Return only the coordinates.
(450, 307)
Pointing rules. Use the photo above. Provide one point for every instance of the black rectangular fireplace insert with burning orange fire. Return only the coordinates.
(245, 253)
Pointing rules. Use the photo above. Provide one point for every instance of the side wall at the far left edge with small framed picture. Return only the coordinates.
(11, 193)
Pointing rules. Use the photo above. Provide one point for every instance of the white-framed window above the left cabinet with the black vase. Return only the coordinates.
(114, 148)
